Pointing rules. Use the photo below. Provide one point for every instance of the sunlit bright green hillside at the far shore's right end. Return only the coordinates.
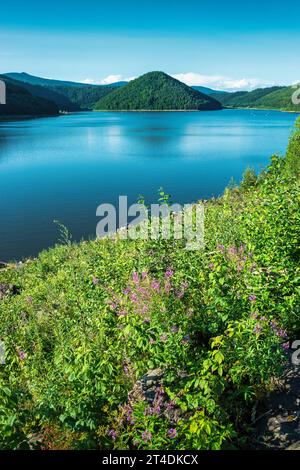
(266, 98)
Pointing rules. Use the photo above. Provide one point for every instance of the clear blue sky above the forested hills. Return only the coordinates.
(225, 45)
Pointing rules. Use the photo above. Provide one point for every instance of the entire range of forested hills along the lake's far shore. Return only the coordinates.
(74, 96)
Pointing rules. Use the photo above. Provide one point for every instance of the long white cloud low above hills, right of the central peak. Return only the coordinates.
(220, 82)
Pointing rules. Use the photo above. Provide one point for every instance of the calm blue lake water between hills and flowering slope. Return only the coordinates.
(64, 167)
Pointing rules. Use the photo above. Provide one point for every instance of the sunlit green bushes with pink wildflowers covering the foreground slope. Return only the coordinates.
(83, 322)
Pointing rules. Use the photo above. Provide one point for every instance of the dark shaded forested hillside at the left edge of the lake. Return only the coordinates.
(20, 101)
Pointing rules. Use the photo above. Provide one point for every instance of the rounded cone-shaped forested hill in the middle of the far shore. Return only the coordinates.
(157, 91)
